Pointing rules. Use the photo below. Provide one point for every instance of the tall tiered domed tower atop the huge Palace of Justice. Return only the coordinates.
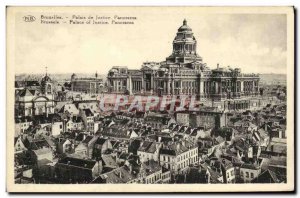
(184, 46)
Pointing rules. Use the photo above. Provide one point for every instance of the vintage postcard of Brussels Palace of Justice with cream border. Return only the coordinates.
(150, 99)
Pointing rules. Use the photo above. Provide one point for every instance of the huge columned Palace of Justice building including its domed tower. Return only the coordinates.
(183, 72)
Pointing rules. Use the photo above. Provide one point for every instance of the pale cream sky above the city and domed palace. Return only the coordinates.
(254, 42)
